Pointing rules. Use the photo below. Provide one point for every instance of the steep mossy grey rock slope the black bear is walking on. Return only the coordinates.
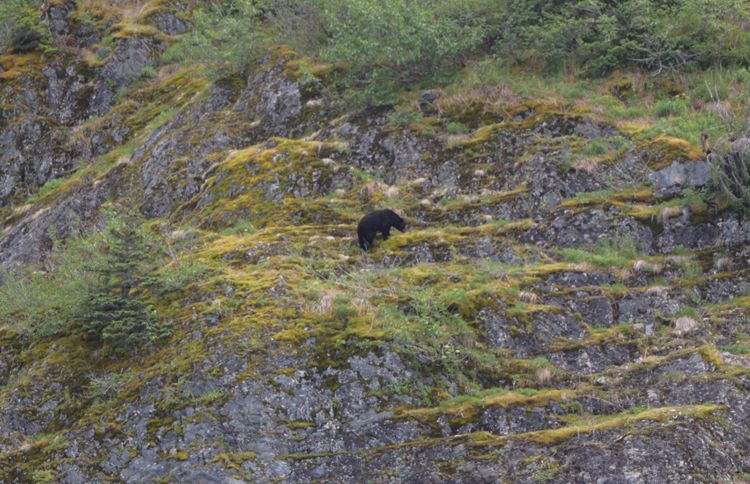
(549, 314)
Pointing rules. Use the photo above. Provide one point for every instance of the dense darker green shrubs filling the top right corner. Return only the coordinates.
(602, 36)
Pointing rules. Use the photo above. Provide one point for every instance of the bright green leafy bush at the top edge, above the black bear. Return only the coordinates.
(390, 44)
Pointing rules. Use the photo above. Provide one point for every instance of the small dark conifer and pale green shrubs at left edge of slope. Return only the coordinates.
(92, 284)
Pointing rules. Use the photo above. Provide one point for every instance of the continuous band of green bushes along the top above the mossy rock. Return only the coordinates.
(384, 47)
